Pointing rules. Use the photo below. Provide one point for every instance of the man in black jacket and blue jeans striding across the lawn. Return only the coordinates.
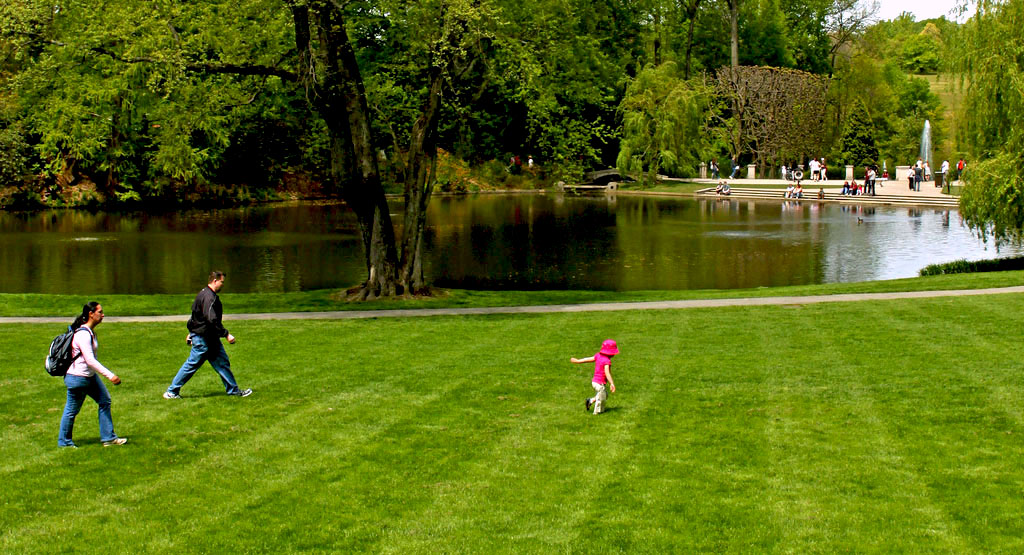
(205, 331)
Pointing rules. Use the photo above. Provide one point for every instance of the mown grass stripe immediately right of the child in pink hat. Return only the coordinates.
(697, 468)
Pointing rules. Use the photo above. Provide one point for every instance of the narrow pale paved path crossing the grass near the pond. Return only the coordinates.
(548, 309)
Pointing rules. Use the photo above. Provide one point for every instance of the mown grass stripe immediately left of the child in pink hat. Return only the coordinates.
(521, 489)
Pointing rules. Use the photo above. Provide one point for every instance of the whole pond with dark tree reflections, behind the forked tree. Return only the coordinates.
(488, 242)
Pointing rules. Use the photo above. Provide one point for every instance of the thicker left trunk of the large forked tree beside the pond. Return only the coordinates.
(340, 99)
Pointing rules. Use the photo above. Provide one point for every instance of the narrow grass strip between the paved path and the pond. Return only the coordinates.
(123, 306)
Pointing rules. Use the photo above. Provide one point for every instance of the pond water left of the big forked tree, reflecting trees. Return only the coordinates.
(78, 252)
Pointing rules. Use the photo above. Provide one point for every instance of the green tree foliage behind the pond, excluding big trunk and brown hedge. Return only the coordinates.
(208, 102)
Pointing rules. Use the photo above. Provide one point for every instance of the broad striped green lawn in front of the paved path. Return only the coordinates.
(888, 426)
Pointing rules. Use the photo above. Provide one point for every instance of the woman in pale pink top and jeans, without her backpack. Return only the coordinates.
(81, 380)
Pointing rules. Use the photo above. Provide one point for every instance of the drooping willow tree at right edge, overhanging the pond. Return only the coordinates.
(987, 55)
